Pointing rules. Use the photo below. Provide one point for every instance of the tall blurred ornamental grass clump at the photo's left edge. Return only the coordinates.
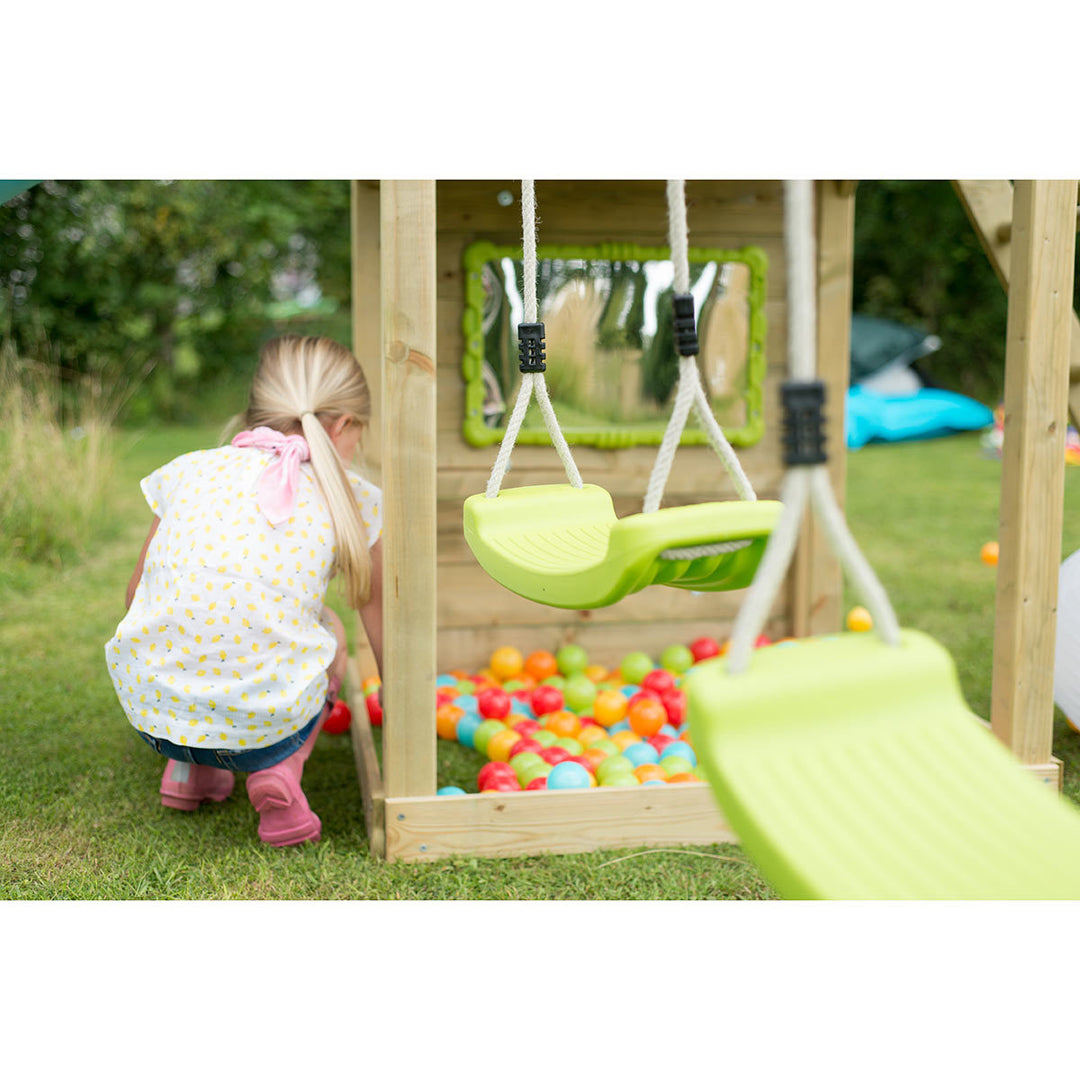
(57, 460)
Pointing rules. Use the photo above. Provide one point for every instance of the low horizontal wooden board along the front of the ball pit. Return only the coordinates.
(524, 823)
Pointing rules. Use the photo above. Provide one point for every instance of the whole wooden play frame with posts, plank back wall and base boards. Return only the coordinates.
(439, 606)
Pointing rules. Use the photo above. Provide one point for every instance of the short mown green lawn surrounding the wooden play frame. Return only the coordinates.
(79, 812)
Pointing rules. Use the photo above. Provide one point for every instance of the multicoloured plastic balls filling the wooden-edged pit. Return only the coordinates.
(555, 721)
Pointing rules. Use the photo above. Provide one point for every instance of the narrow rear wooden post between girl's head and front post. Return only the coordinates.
(367, 346)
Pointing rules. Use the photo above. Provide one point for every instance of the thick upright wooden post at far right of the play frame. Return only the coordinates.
(1033, 470)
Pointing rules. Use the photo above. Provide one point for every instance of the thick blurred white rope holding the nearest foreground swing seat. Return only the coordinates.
(804, 484)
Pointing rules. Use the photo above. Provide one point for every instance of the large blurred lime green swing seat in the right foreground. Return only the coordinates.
(854, 771)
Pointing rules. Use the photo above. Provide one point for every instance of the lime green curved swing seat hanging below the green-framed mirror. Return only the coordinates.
(564, 546)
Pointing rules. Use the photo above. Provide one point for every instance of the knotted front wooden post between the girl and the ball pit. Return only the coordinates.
(408, 242)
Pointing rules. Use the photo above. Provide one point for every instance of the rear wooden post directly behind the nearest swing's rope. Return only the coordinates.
(817, 598)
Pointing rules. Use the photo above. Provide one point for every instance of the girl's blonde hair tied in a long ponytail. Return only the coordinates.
(301, 383)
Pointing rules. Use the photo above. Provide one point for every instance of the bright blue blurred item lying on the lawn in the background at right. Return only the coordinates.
(924, 415)
